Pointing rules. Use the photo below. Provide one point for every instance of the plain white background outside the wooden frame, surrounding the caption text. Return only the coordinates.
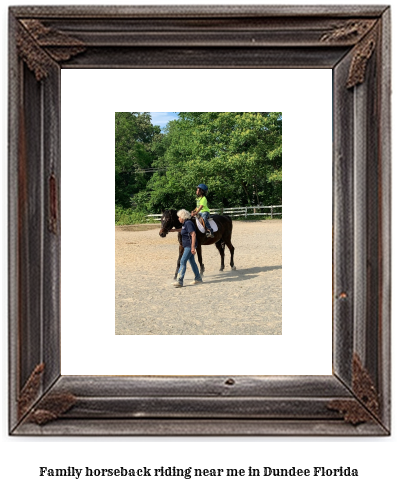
(376, 459)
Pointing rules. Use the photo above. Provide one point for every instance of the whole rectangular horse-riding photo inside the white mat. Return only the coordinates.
(185, 181)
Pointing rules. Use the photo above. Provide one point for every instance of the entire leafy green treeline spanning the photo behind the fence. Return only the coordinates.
(237, 155)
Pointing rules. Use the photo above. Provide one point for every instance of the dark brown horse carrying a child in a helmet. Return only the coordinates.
(222, 237)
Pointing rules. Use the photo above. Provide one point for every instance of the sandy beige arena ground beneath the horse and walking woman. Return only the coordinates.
(247, 301)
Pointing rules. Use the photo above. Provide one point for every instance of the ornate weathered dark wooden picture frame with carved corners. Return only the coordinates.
(352, 41)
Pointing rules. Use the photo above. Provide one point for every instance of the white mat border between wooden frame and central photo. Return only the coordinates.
(88, 241)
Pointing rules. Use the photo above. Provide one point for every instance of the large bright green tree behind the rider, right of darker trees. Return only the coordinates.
(238, 155)
